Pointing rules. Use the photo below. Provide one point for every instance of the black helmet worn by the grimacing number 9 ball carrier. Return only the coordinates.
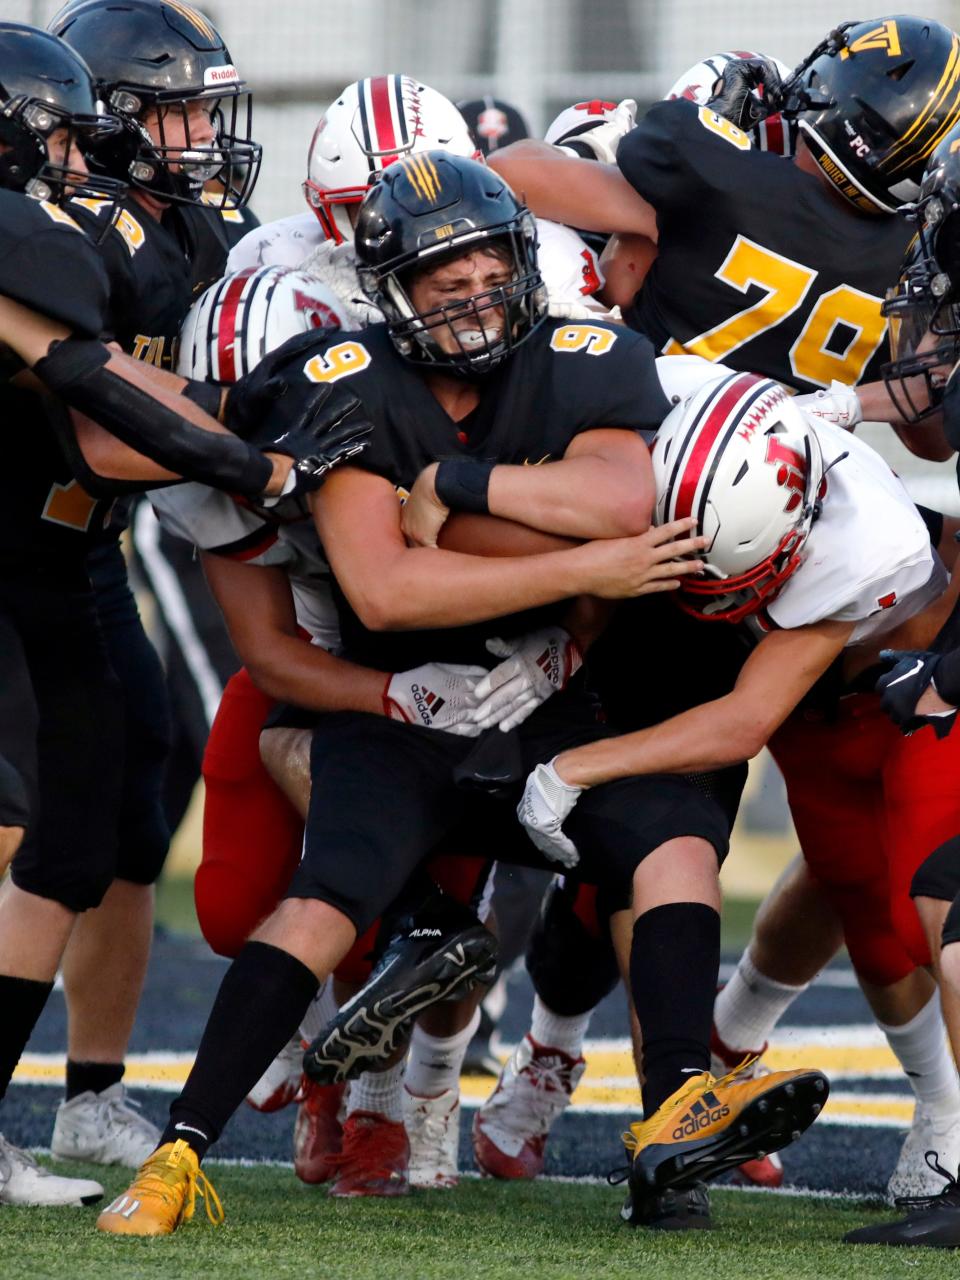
(431, 208)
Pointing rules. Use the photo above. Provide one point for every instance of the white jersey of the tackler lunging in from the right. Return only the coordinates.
(868, 559)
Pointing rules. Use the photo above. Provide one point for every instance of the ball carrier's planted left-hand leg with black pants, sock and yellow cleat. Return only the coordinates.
(381, 794)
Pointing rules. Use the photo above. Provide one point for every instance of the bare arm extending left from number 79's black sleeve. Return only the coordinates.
(596, 198)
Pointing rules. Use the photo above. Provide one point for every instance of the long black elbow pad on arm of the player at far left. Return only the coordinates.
(76, 371)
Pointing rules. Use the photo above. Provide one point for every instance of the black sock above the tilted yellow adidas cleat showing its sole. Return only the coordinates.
(674, 967)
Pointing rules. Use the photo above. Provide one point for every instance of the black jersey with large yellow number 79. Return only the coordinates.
(760, 266)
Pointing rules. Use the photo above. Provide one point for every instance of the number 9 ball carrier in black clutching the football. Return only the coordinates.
(461, 371)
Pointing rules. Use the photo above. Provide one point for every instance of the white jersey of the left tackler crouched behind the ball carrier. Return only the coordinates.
(214, 523)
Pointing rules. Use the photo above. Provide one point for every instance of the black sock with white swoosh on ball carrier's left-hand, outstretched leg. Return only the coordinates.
(259, 1007)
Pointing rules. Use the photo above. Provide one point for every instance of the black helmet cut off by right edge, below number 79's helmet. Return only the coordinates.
(925, 307)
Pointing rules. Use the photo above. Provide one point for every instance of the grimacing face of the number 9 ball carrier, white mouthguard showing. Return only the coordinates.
(451, 287)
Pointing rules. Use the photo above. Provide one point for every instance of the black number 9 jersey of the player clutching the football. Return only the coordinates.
(565, 380)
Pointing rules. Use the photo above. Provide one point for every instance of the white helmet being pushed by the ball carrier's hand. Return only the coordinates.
(743, 459)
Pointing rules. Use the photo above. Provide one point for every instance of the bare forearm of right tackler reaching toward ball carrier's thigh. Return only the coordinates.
(707, 738)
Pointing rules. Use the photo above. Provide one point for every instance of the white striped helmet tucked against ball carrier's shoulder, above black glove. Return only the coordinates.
(237, 321)
